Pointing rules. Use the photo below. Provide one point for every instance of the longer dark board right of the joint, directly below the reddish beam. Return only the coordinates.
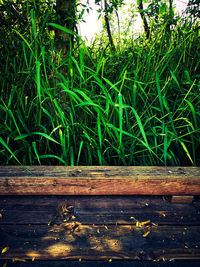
(129, 209)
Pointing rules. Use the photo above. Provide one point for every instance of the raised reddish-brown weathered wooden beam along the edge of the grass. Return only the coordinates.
(91, 180)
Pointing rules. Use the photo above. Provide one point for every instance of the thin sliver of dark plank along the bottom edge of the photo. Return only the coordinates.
(101, 263)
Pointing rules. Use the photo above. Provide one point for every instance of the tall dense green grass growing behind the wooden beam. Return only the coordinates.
(139, 105)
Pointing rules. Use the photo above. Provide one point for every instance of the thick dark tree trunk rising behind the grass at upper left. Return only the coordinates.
(66, 14)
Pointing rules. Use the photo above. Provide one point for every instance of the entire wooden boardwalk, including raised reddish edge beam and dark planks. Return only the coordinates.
(60, 216)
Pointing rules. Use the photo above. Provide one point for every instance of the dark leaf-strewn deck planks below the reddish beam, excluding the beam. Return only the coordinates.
(62, 228)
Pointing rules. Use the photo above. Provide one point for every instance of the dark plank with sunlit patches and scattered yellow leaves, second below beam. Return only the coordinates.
(92, 242)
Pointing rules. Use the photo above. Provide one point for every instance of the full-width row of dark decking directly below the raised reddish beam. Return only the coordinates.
(97, 210)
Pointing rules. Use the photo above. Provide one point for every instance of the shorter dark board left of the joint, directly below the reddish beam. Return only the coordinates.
(35, 209)
